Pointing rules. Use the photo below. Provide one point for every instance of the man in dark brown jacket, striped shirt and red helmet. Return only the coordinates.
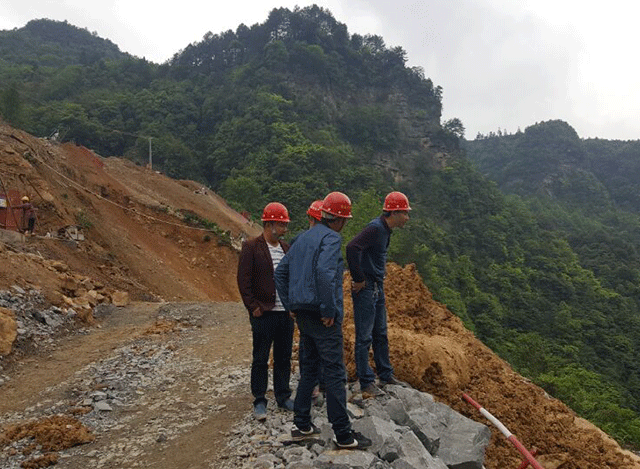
(270, 321)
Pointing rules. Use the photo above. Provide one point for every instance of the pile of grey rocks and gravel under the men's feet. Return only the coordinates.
(408, 428)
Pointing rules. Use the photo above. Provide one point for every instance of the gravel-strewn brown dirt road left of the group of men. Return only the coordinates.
(170, 379)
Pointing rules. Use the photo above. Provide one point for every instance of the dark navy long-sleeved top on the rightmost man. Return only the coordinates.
(367, 251)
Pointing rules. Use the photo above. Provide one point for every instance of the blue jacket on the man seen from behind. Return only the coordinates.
(309, 276)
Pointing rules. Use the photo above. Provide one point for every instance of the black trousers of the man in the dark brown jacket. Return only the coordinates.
(272, 328)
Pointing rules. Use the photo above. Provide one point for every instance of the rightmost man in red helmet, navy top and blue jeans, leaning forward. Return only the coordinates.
(367, 258)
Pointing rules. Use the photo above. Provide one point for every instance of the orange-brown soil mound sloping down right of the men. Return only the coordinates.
(431, 350)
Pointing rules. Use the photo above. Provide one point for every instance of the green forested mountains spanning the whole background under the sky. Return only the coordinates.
(294, 107)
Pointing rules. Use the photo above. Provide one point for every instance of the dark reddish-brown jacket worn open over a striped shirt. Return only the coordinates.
(255, 274)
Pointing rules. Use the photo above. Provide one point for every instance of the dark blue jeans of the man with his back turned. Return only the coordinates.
(321, 352)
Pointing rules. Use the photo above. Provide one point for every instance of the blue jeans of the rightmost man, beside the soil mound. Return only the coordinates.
(370, 319)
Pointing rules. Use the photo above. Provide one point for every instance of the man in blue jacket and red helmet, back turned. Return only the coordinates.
(309, 283)
